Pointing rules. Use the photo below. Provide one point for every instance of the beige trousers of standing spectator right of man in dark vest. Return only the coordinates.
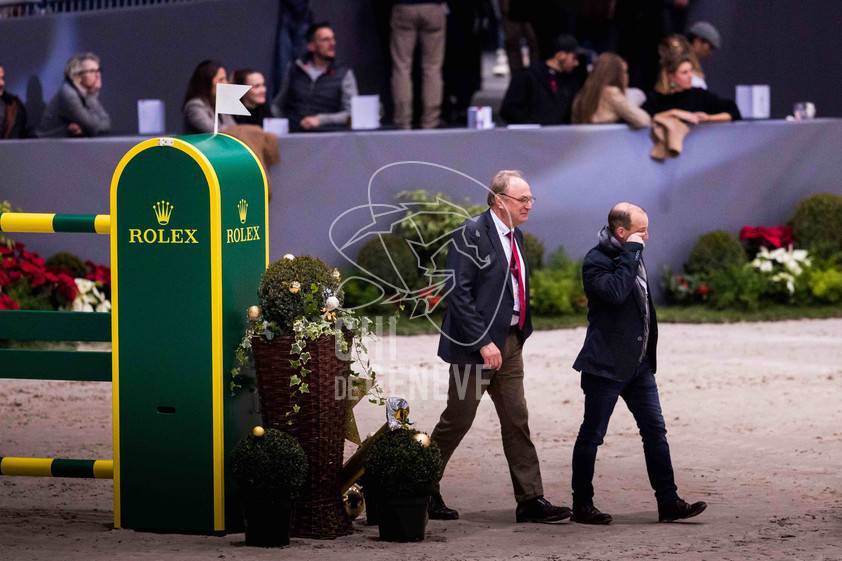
(416, 21)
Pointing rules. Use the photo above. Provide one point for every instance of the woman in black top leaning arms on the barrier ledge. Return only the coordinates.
(691, 105)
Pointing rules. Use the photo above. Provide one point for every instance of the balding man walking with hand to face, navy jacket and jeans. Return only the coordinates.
(618, 359)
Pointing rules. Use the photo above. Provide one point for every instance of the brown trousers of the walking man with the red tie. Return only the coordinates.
(468, 383)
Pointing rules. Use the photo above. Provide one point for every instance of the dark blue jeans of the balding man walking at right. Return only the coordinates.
(641, 396)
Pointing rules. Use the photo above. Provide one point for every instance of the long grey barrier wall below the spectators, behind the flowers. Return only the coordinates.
(729, 175)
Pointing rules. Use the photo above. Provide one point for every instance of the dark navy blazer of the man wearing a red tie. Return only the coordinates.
(480, 298)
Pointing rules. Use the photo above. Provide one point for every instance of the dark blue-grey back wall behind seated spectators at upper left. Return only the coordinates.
(146, 52)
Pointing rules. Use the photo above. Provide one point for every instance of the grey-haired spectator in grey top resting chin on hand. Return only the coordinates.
(75, 110)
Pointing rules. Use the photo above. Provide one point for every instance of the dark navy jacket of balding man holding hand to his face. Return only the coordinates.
(614, 341)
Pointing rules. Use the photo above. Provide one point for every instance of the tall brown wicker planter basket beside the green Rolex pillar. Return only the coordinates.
(319, 426)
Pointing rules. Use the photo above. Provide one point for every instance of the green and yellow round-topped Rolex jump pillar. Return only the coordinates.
(189, 243)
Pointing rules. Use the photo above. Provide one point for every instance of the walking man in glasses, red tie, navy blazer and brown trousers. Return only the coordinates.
(482, 334)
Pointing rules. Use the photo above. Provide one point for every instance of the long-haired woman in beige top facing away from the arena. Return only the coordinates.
(603, 97)
